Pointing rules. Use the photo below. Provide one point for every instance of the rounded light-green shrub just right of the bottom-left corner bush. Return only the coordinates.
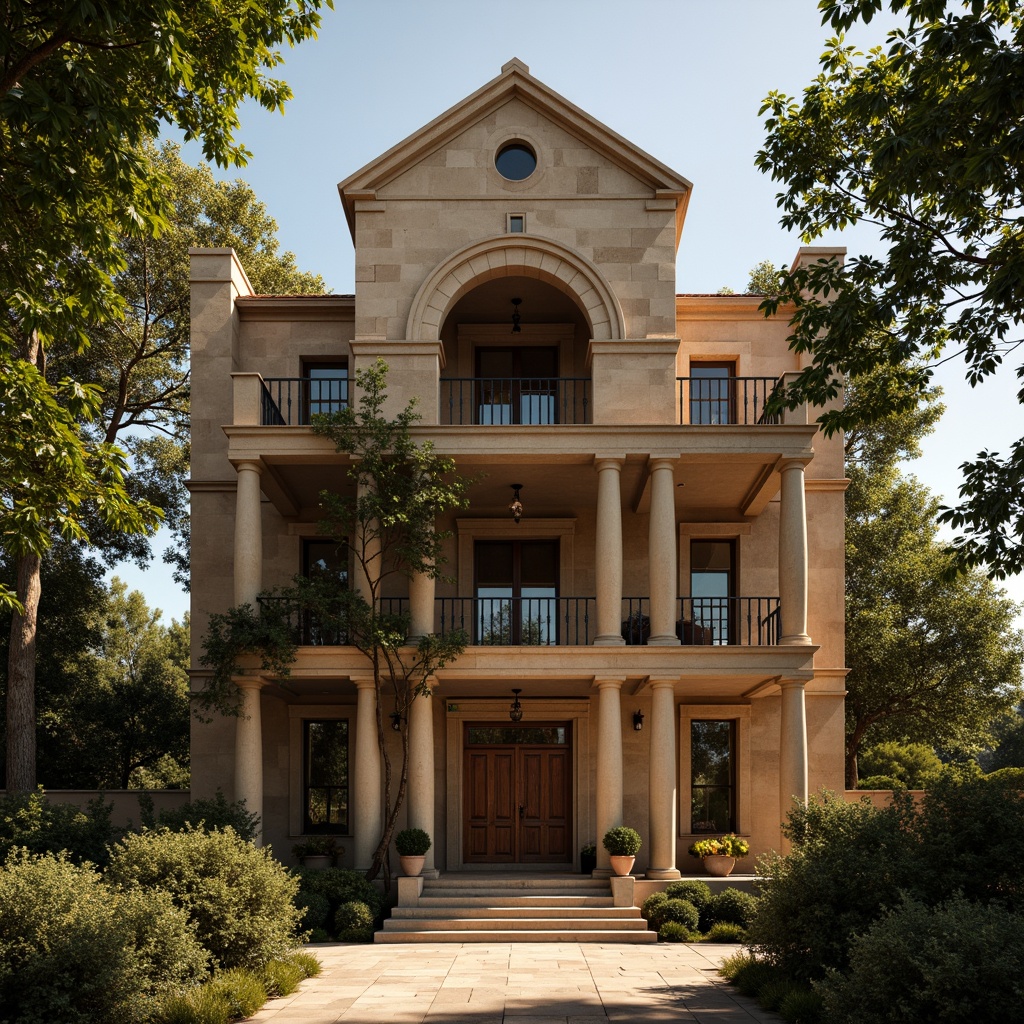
(240, 899)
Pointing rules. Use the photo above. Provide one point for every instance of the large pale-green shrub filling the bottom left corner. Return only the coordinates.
(74, 950)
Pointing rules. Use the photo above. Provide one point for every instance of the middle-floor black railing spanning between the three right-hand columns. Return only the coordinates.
(704, 622)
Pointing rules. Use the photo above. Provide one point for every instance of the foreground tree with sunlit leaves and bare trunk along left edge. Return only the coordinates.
(83, 87)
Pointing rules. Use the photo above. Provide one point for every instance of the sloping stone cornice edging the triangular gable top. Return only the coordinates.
(515, 89)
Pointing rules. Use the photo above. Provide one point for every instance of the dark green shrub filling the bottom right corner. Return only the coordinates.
(955, 964)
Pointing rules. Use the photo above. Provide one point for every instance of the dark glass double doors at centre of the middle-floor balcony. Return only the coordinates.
(517, 593)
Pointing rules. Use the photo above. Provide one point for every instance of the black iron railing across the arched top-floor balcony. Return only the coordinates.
(508, 401)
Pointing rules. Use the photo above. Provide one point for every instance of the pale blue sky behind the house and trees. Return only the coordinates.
(682, 79)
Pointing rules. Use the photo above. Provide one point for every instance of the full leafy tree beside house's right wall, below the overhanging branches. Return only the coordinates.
(933, 656)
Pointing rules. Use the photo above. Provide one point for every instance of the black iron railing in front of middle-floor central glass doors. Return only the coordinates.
(514, 622)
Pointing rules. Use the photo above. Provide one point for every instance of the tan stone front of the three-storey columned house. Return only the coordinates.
(656, 493)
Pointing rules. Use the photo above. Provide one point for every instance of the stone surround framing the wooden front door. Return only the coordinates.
(536, 709)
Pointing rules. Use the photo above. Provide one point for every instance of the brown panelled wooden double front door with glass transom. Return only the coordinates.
(518, 795)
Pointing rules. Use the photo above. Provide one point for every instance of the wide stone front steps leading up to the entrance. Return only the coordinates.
(517, 909)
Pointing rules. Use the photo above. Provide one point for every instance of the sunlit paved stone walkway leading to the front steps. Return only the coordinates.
(517, 984)
